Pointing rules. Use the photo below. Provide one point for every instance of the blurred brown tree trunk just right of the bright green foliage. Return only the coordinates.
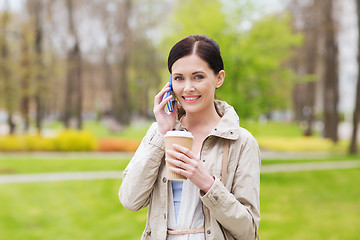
(306, 19)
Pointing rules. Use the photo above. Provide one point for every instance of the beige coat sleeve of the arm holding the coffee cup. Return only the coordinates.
(238, 211)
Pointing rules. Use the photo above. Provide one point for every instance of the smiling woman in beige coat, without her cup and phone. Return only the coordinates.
(203, 206)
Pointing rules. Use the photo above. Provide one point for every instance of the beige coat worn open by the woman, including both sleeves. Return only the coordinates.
(234, 206)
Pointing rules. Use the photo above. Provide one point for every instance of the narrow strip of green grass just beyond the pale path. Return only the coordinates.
(38, 163)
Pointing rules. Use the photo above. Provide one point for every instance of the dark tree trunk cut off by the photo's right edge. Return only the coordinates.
(353, 146)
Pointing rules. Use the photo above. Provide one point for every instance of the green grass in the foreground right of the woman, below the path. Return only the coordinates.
(310, 205)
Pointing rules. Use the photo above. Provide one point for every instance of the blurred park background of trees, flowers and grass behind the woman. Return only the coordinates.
(78, 79)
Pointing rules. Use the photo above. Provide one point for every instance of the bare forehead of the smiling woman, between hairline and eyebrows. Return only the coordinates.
(190, 63)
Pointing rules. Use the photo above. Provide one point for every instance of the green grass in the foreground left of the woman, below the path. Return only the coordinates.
(67, 210)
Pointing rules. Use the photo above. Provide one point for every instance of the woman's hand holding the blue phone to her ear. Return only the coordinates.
(165, 121)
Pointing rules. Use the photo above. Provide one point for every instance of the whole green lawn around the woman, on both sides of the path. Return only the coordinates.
(297, 206)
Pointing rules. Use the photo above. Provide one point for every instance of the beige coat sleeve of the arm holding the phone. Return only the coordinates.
(141, 173)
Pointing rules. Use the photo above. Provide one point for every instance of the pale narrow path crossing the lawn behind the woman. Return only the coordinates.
(271, 168)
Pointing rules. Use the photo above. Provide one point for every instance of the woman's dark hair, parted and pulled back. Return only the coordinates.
(206, 48)
